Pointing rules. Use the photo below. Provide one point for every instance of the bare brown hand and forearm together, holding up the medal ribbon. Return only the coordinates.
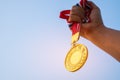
(105, 38)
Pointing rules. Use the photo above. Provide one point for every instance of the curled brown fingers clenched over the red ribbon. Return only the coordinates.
(76, 14)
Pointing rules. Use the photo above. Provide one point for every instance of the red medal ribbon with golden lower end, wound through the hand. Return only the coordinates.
(74, 26)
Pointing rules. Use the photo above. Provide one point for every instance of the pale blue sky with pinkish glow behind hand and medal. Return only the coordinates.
(34, 42)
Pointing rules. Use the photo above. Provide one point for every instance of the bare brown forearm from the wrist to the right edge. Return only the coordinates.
(107, 39)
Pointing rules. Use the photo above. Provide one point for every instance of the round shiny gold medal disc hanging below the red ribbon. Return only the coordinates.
(76, 57)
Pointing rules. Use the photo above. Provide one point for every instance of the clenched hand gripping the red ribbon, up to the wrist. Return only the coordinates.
(87, 29)
